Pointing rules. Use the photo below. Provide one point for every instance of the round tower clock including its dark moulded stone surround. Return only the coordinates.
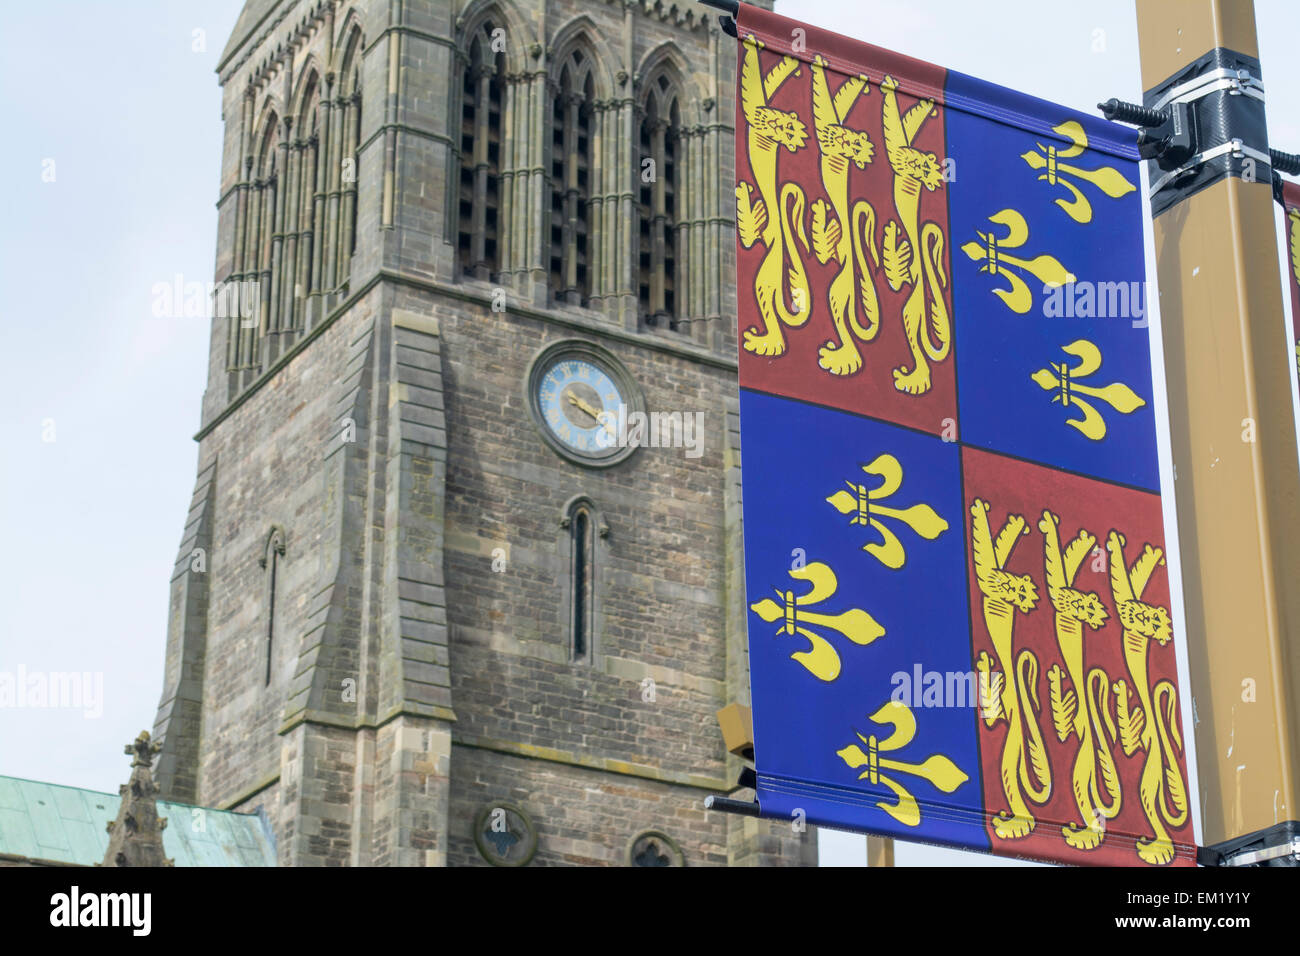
(579, 395)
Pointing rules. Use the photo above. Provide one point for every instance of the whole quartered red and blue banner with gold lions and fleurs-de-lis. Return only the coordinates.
(959, 605)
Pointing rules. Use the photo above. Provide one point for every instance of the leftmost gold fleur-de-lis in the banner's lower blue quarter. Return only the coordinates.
(821, 660)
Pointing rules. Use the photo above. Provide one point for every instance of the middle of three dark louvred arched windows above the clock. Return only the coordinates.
(571, 180)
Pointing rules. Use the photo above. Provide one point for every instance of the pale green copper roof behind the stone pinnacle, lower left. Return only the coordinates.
(67, 825)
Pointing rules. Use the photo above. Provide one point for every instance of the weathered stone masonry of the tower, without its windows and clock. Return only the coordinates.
(466, 691)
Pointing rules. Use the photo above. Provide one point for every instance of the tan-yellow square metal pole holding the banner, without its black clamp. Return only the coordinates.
(1234, 448)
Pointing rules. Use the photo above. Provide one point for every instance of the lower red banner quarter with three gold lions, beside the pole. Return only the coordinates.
(1098, 771)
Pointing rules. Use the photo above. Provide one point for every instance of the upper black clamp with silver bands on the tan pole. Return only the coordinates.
(1201, 126)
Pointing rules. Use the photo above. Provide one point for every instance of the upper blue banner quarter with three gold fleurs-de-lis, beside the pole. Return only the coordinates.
(1051, 301)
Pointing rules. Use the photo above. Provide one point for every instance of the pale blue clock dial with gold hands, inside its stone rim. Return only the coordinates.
(580, 405)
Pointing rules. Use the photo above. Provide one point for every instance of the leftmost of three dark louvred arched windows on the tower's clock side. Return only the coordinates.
(483, 96)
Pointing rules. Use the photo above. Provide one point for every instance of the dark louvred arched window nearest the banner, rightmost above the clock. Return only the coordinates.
(657, 206)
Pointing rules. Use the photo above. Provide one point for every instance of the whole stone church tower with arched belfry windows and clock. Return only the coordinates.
(431, 608)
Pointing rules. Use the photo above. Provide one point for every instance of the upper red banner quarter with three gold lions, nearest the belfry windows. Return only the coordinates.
(807, 237)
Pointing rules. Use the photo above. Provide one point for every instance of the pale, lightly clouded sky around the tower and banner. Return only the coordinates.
(120, 105)
